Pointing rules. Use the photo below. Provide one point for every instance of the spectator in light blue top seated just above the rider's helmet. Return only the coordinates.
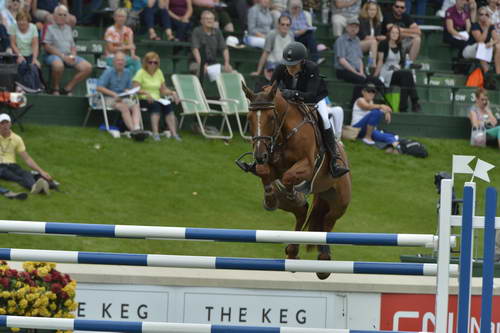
(302, 29)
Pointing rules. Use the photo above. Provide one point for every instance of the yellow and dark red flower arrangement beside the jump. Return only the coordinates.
(38, 291)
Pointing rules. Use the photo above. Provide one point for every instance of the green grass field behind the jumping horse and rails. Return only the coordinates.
(154, 183)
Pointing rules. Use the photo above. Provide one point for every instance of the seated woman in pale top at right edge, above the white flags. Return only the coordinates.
(482, 121)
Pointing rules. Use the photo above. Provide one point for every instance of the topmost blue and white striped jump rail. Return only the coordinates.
(227, 235)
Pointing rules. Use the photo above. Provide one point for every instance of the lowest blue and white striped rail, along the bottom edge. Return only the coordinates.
(156, 327)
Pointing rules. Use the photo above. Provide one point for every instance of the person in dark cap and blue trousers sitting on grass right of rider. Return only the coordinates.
(366, 115)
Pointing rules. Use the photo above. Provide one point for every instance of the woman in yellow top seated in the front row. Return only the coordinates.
(153, 91)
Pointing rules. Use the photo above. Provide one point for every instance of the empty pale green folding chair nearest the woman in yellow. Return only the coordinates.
(194, 103)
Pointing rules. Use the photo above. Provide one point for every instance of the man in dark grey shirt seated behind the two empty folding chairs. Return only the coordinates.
(208, 41)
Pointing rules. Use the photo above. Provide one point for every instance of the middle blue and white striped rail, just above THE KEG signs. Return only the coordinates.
(157, 260)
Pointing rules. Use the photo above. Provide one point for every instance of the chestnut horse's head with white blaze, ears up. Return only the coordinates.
(263, 122)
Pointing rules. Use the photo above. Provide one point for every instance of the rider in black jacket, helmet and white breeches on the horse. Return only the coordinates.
(299, 80)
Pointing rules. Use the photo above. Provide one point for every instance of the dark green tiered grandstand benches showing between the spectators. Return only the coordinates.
(443, 95)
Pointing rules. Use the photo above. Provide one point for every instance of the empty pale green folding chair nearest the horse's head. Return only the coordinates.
(230, 91)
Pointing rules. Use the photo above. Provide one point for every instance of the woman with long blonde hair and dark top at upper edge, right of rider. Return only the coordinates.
(370, 30)
